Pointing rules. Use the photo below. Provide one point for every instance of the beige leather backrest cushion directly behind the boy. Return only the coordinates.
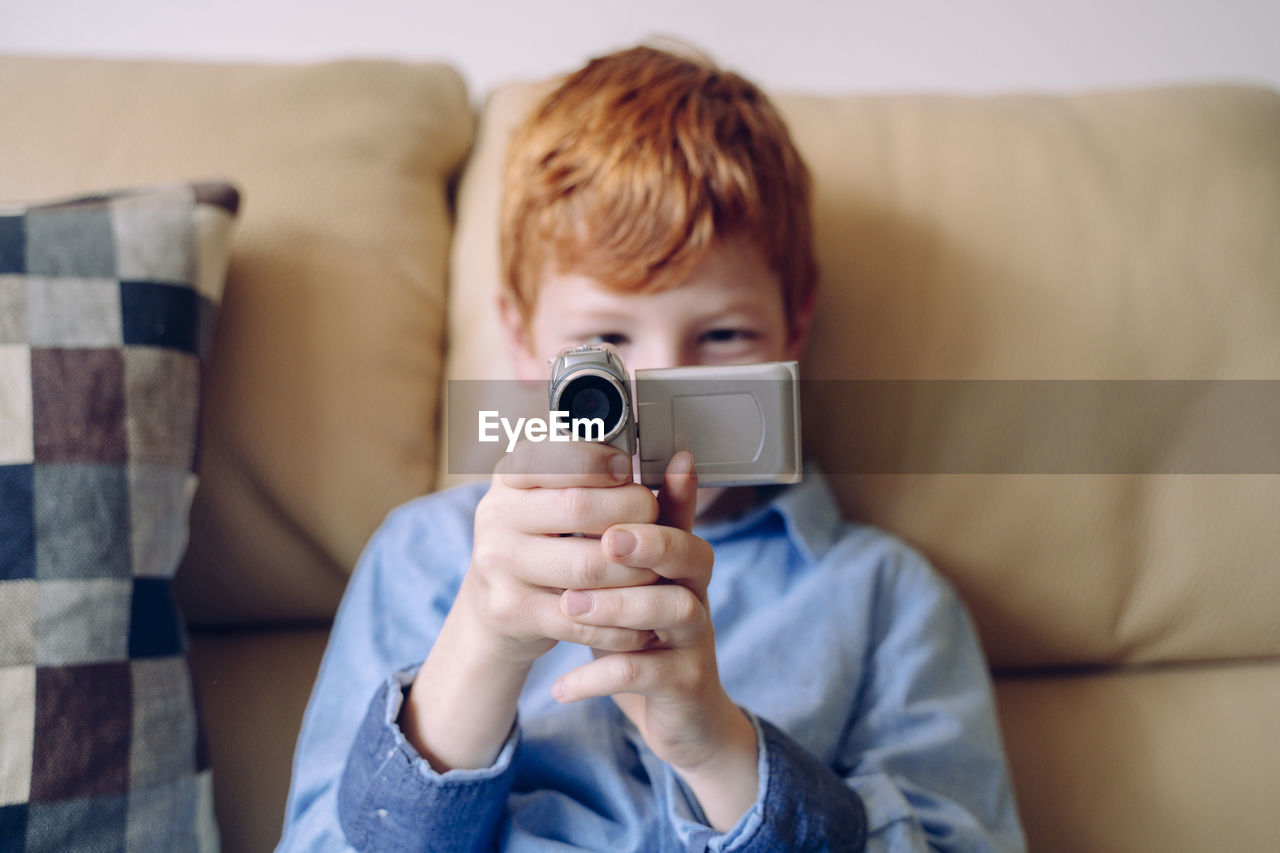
(1112, 240)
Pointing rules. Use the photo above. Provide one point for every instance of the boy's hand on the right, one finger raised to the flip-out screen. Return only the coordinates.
(671, 691)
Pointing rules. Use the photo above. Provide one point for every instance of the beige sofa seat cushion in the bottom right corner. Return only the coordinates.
(1150, 759)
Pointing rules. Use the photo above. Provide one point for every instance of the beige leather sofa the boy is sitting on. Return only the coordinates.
(1076, 261)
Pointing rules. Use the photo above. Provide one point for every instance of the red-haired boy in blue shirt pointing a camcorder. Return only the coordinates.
(493, 683)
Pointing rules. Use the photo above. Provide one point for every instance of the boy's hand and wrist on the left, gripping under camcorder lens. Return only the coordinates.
(508, 613)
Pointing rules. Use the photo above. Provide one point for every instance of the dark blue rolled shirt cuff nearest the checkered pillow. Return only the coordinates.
(391, 796)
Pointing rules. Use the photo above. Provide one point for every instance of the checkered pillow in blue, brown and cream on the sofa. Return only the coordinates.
(106, 312)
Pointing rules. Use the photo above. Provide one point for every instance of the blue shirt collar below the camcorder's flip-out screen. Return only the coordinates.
(808, 510)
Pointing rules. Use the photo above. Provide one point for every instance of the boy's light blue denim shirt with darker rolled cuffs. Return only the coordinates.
(857, 664)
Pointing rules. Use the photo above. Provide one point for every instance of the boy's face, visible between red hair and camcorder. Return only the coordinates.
(729, 311)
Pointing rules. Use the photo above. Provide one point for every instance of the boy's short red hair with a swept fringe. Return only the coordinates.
(633, 168)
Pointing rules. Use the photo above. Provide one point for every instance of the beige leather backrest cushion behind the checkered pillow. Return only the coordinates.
(322, 391)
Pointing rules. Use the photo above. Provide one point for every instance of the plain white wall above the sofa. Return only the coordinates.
(828, 45)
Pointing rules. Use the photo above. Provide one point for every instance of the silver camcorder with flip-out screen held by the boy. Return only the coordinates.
(742, 423)
